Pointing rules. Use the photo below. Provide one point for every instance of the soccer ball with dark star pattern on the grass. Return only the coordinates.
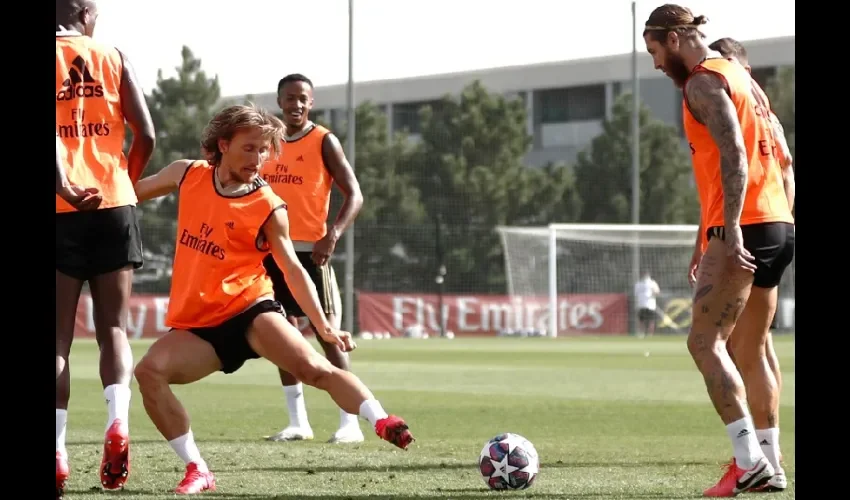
(508, 462)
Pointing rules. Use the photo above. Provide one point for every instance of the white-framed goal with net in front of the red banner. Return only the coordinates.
(587, 273)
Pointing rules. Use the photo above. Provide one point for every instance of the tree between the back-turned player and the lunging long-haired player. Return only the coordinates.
(181, 107)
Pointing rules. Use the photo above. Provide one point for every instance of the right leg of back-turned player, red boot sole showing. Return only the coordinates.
(111, 300)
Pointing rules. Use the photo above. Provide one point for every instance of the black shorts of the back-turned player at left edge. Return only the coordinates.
(89, 244)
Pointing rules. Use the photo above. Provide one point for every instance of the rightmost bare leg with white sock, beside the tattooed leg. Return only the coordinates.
(751, 340)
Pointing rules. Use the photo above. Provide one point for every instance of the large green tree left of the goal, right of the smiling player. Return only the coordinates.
(470, 170)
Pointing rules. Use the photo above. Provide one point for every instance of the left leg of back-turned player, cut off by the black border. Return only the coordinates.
(67, 296)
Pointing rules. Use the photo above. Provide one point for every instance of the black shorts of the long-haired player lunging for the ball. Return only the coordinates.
(230, 339)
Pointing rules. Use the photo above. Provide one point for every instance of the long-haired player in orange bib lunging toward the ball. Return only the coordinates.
(221, 307)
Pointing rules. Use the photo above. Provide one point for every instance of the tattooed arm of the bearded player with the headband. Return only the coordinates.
(711, 105)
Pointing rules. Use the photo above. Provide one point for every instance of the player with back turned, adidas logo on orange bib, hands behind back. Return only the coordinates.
(97, 236)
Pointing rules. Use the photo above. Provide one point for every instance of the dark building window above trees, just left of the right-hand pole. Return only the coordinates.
(572, 104)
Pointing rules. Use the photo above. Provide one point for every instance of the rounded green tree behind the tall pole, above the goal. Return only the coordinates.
(604, 172)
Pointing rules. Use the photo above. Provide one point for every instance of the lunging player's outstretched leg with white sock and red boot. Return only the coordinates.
(276, 340)
